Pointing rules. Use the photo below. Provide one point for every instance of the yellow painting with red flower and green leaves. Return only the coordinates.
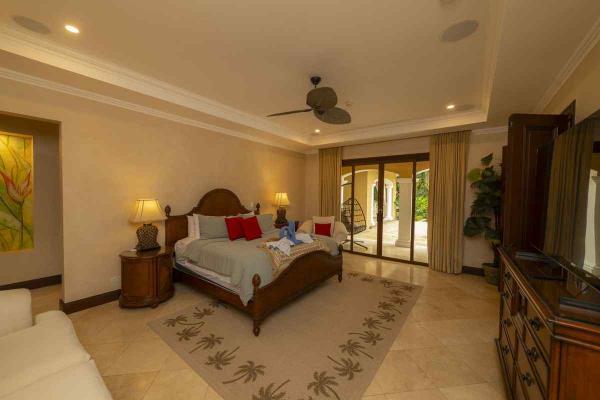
(16, 192)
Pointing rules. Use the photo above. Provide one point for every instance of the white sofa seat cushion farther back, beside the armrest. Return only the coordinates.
(43, 349)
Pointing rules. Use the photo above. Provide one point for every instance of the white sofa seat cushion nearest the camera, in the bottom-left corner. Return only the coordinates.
(81, 381)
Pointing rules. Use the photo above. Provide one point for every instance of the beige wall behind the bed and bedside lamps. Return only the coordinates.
(112, 156)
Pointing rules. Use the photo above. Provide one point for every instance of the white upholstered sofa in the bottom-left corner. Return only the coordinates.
(42, 358)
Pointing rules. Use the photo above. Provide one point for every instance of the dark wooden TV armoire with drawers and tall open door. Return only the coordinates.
(549, 345)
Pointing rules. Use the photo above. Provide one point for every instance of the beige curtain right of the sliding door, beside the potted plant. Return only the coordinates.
(447, 178)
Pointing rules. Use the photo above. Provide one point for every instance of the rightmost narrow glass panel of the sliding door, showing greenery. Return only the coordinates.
(421, 205)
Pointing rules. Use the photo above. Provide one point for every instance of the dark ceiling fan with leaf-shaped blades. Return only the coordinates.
(322, 103)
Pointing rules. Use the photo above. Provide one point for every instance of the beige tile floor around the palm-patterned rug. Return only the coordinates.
(445, 350)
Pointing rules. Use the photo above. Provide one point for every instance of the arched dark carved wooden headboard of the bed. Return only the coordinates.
(217, 202)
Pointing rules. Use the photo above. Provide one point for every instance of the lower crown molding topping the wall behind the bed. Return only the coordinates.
(99, 98)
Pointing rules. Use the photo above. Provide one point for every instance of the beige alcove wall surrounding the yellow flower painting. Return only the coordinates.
(45, 259)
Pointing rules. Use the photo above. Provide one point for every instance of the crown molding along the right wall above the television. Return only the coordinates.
(587, 44)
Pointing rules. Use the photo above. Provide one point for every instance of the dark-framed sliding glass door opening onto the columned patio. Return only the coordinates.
(384, 206)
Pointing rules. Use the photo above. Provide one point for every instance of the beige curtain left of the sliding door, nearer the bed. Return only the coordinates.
(330, 170)
